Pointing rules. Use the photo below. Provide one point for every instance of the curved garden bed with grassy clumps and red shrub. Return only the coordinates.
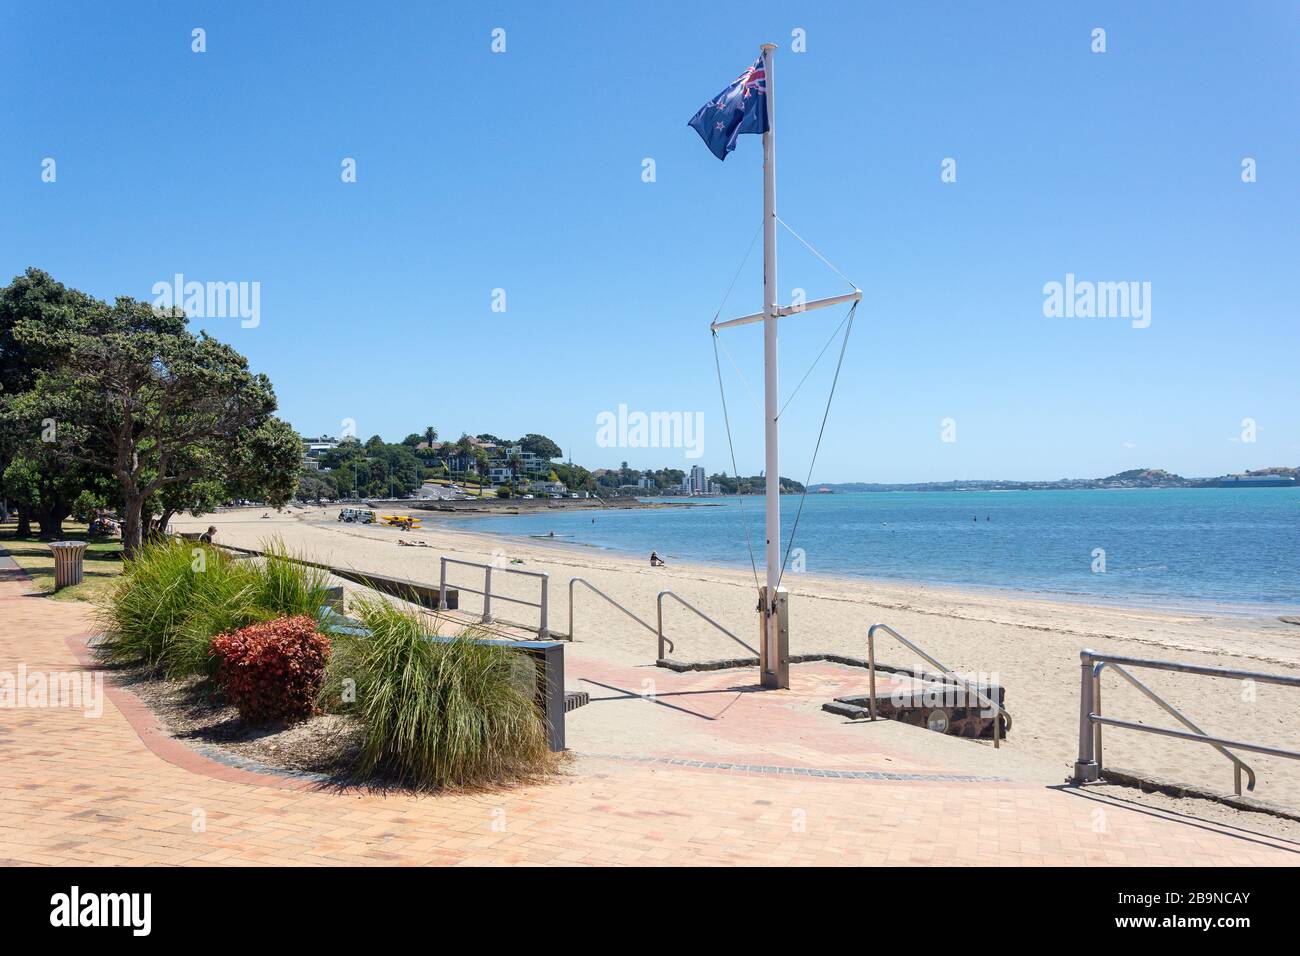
(248, 657)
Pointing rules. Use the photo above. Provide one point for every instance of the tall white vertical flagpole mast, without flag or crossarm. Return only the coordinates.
(773, 654)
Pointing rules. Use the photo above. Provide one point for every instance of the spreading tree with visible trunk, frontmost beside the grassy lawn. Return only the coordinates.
(163, 410)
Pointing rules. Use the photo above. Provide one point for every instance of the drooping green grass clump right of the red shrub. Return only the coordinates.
(437, 715)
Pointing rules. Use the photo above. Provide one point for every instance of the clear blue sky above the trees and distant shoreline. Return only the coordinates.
(523, 171)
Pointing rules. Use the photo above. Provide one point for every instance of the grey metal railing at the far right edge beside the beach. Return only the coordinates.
(1089, 767)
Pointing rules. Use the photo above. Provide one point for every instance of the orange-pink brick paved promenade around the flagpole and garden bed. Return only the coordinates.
(709, 772)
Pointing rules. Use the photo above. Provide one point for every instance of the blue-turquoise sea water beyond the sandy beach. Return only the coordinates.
(1214, 547)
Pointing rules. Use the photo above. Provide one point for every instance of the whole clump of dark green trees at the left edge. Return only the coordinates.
(124, 399)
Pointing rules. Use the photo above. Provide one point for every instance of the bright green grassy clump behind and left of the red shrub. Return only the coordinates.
(177, 596)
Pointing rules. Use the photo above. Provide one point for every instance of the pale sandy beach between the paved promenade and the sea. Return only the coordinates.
(1030, 644)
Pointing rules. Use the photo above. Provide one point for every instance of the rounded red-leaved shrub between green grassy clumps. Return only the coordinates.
(272, 672)
